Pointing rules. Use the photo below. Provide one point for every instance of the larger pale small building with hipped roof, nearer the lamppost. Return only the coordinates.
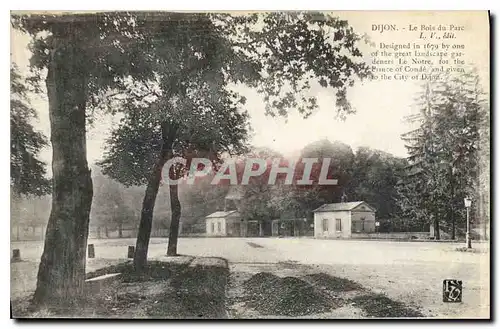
(341, 220)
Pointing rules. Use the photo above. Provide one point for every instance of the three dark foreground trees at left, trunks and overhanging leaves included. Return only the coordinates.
(170, 73)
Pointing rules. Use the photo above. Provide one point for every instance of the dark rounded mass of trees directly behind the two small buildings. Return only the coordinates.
(368, 175)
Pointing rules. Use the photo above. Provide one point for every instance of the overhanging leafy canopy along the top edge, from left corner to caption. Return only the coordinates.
(278, 53)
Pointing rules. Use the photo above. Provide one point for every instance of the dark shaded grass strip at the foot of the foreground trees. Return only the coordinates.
(165, 290)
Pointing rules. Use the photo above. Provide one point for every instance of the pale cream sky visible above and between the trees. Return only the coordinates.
(381, 106)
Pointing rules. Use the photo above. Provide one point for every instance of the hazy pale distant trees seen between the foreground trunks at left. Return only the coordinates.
(115, 208)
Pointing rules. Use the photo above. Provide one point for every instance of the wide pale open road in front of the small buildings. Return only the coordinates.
(411, 272)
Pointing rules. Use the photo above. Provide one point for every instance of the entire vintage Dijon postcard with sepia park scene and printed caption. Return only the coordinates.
(250, 165)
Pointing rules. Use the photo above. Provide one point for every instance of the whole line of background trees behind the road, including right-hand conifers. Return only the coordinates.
(365, 175)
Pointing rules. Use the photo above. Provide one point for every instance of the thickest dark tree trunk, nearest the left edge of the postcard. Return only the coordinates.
(61, 272)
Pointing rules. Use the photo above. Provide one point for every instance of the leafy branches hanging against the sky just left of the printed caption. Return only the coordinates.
(295, 49)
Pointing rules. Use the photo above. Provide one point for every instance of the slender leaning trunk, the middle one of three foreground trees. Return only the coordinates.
(169, 132)
